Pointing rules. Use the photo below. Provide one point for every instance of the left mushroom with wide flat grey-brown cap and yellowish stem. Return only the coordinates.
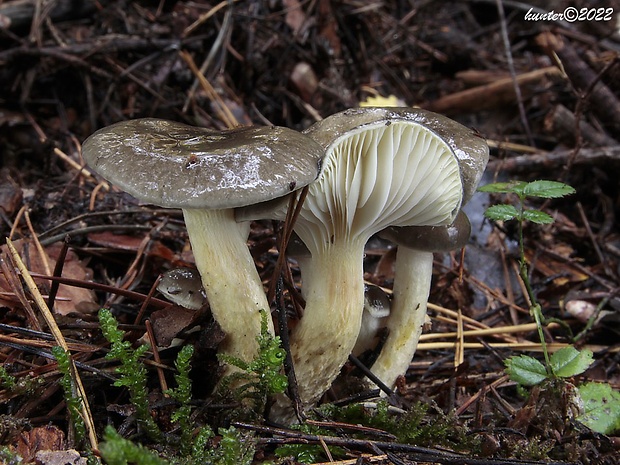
(207, 174)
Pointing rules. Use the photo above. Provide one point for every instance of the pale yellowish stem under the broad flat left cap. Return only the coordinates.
(229, 277)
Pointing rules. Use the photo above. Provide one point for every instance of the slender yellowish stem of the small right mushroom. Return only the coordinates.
(412, 282)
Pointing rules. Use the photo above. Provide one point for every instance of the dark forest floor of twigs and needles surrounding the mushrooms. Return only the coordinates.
(544, 92)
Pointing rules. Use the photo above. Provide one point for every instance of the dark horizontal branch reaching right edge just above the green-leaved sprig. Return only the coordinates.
(556, 159)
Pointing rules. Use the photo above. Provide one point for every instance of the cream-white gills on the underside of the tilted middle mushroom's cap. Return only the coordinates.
(379, 174)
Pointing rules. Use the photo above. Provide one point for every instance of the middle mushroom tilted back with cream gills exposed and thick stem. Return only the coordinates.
(383, 167)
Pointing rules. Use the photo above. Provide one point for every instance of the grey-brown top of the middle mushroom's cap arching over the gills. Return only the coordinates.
(470, 149)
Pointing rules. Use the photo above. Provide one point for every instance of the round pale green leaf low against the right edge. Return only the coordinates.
(601, 408)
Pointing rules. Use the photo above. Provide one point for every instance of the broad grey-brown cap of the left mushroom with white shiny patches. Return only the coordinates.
(175, 165)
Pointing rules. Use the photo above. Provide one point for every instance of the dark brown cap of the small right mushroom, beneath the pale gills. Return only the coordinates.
(431, 238)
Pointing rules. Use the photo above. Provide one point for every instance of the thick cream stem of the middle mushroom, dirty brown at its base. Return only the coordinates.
(326, 334)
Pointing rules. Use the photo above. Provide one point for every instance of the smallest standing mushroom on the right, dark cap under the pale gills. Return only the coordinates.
(412, 283)
